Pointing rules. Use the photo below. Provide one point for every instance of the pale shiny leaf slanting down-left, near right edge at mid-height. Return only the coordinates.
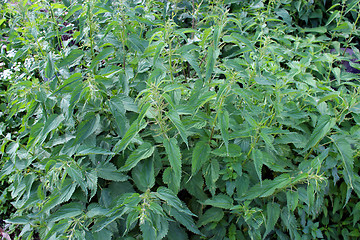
(323, 127)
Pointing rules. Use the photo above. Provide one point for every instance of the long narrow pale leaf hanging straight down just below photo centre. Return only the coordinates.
(173, 152)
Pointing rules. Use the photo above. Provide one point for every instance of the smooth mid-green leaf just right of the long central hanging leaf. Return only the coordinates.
(200, 155)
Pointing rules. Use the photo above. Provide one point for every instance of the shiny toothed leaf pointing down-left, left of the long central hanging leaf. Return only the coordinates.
(144, 151)
